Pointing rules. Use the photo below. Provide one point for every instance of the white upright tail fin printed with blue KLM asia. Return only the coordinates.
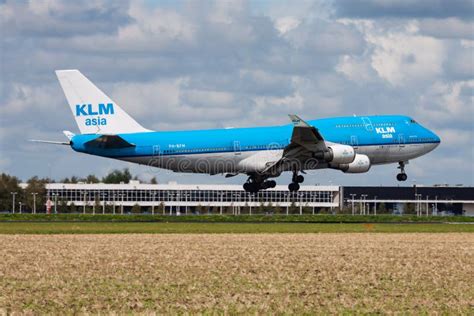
(94, 111)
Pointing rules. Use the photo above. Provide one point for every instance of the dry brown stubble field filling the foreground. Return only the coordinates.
(237, 273)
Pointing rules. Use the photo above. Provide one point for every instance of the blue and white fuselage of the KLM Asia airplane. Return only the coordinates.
(384, 139)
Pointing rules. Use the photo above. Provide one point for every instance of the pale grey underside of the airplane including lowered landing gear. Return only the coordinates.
(233, 163)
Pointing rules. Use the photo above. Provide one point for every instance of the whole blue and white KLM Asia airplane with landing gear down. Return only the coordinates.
(350, 144)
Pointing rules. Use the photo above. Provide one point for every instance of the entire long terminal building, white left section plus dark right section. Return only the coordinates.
(176, 199)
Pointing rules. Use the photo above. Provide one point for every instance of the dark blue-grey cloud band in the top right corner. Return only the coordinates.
(404, 8)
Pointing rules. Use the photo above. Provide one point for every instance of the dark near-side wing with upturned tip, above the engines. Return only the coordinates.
(305, 141)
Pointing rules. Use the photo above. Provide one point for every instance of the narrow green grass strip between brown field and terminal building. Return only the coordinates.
(202, 228)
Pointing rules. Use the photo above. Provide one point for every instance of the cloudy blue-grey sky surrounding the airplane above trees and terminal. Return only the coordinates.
(176, 65)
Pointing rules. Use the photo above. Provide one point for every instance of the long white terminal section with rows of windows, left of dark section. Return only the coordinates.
(176, 198)
